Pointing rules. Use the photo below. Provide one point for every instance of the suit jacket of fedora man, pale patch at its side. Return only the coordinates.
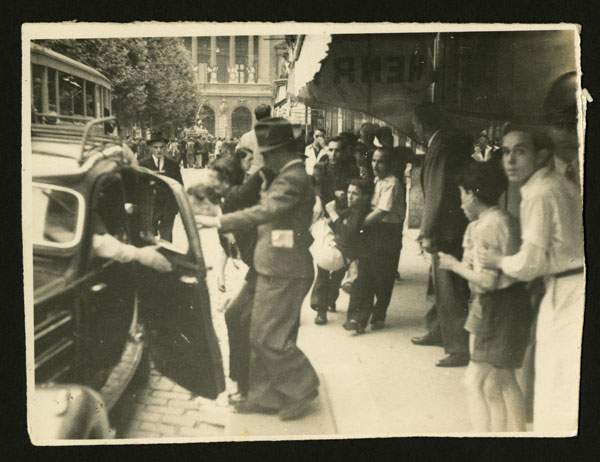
(283, 216)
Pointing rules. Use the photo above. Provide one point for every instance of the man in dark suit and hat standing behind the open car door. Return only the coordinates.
(165, 207)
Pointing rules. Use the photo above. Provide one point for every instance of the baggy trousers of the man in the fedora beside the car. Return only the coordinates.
(279, 372)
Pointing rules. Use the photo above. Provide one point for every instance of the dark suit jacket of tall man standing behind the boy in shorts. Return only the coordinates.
(443, 220)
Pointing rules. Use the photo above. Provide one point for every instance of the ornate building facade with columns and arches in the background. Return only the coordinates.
(235, 74)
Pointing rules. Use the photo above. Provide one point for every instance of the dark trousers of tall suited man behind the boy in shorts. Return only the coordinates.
(451, 298)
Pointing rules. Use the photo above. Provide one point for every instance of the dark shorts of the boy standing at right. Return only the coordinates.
(504, 329)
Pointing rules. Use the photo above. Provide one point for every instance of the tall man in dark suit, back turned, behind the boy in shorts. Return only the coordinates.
(442, 227)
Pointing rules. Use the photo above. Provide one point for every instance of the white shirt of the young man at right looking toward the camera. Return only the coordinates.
(551, 228)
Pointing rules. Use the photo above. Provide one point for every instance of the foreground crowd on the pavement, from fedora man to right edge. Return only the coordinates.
(504, 292)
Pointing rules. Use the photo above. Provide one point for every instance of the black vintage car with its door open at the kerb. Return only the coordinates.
(92, 317)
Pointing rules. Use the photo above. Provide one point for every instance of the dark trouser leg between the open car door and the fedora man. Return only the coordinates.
(237, 318)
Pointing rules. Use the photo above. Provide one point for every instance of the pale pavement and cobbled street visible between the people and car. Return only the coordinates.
(375, 384)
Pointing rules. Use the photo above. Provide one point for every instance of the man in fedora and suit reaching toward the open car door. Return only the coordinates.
(281, 377)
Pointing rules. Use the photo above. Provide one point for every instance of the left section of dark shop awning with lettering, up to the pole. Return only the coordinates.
(383, 75)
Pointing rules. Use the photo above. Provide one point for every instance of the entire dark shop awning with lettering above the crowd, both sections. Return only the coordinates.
(482, 76)
